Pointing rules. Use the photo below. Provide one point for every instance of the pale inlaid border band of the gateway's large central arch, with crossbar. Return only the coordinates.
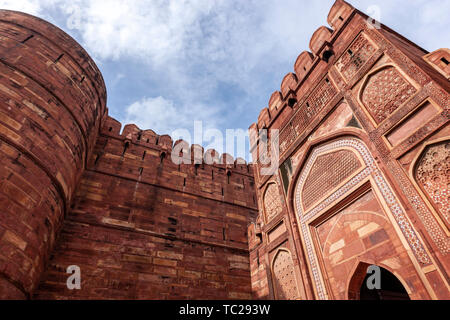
(371, 169)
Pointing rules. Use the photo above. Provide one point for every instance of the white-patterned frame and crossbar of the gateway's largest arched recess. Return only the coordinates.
(368, 174)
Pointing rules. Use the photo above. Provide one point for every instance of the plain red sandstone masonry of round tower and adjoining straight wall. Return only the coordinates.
(75, 191)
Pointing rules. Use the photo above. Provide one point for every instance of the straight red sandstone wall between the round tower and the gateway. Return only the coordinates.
(141, 227)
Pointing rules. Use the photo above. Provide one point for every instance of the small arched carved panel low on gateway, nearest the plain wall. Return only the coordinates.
(283, 271)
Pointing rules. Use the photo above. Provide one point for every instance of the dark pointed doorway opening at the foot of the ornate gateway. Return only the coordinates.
(389, 286)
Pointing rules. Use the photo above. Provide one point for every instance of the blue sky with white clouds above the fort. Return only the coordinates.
(167, 63)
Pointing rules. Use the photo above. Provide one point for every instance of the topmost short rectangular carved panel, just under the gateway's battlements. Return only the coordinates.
(359, 52)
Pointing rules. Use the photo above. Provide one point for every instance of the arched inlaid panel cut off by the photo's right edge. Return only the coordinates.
(433, 175)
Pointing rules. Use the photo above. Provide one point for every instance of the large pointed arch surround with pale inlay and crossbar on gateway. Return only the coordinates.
(369, 172)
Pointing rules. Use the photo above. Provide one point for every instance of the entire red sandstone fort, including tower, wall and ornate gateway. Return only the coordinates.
(362, 185)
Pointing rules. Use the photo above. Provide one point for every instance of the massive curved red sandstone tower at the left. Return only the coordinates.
(52, 99)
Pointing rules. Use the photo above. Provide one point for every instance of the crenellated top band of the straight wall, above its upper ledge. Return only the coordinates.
(144, 156)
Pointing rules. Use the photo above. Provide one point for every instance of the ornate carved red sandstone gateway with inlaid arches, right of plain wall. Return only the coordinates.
(364, 147)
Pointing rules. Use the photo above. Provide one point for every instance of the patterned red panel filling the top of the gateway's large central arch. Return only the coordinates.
(328, 171)
